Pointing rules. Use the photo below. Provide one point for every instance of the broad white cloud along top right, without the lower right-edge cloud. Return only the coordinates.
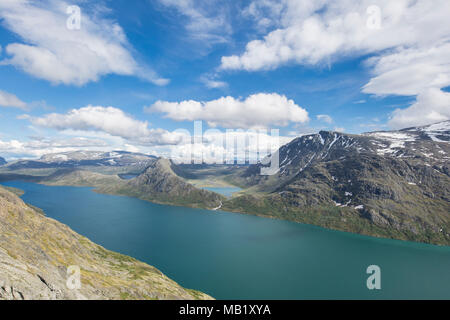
(313, 32)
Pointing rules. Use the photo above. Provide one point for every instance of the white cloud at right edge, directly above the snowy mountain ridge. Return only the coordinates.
(420, 72)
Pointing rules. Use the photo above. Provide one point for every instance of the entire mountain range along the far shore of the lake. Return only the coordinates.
(393, 184)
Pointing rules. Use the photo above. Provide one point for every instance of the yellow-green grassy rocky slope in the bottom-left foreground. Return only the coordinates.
(35, 252)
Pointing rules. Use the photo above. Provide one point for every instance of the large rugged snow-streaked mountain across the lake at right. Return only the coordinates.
(392, 184)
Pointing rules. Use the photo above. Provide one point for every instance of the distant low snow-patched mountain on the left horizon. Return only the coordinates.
(78, 159)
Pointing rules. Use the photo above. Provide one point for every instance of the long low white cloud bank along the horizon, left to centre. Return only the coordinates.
(93, 128)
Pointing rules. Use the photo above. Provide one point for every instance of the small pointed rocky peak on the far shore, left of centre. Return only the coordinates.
(159, 183)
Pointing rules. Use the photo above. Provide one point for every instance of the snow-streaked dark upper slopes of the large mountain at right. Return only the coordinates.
(429, 145)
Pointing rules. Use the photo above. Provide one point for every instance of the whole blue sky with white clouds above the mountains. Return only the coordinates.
(135, 76)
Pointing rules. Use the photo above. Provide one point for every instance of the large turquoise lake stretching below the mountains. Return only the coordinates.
(235, 256)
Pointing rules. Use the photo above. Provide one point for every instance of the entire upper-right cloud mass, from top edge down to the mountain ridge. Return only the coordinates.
(408, 41)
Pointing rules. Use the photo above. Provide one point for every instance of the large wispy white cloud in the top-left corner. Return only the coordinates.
(52, 52)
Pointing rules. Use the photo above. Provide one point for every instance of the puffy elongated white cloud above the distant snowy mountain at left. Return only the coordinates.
(109, 120)
